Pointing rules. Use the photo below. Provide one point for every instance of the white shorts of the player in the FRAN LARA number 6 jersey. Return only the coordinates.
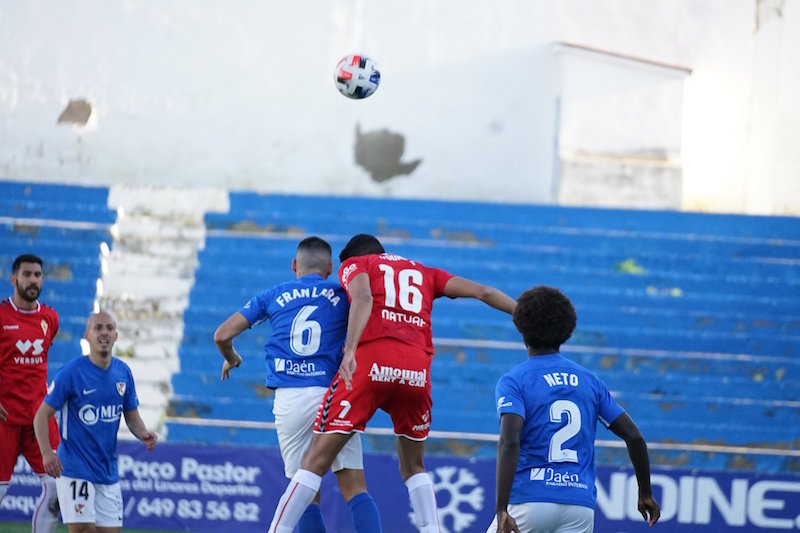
(295, 409)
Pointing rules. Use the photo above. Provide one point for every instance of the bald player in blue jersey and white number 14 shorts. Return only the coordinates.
(94, 393)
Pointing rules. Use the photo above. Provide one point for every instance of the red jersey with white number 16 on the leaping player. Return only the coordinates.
(402, 297)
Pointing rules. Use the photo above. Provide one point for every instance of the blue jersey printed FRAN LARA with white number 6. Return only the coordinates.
(308, 316)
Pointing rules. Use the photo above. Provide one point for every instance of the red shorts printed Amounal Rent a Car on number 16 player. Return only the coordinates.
(390, 375)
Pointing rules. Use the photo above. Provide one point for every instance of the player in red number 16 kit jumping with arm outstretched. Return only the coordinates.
(386, 365)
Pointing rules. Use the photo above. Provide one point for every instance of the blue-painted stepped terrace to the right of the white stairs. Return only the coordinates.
(687, 317)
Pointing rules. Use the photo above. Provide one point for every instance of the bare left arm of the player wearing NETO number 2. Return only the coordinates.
(507, 459)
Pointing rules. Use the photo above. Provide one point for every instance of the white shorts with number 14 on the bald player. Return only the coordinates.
(84, 502)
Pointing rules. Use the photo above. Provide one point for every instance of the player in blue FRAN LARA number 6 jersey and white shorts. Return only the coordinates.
(308, 316)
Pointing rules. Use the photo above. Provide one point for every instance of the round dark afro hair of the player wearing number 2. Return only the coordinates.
(545, 317)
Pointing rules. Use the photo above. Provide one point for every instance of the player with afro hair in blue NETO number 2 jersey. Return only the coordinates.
(549, 407)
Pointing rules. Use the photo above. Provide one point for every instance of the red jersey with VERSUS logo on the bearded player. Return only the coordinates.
(25, 338)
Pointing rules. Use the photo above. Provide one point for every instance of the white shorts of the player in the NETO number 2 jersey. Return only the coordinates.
(546, 517)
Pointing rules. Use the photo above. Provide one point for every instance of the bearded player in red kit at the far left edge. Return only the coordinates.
(27, 329)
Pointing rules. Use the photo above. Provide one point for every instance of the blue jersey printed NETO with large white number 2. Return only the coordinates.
(561, 403)
